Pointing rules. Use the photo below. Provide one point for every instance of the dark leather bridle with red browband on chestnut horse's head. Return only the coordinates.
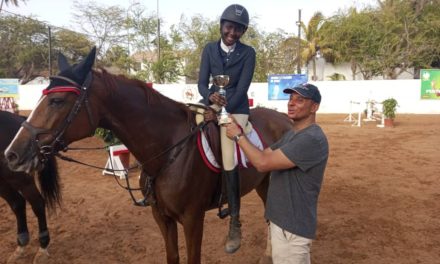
(48, 150)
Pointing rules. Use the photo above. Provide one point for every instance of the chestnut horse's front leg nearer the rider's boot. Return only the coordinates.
(193, 229)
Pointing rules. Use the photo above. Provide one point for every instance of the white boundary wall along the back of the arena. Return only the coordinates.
(336, 95)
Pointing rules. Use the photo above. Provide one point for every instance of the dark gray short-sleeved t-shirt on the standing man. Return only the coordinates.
(293, 193)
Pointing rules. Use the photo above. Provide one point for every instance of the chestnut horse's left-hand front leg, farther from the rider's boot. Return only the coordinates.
(168, 228)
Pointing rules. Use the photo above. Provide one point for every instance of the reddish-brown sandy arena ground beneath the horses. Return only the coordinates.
(379, 204)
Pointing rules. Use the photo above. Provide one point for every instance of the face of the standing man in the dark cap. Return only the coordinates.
(299, 107)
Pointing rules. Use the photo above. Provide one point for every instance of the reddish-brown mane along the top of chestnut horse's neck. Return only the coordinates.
(152, 95)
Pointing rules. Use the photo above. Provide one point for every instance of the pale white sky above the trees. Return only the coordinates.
(269, 15)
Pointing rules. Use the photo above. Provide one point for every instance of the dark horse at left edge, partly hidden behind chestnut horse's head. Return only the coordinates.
(18, 187)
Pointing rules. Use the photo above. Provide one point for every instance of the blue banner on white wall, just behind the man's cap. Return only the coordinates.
(278, 82)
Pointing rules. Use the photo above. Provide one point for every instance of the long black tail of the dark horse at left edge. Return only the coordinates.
(49, 183)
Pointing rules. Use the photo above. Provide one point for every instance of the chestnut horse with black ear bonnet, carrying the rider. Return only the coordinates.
(157, 130)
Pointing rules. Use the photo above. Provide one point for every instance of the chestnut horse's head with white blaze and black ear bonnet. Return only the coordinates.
(63, 115)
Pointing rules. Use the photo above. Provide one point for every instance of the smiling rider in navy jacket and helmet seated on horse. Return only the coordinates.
(228, 56)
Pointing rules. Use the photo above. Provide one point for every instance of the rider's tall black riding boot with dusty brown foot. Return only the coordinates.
(233, 191)
